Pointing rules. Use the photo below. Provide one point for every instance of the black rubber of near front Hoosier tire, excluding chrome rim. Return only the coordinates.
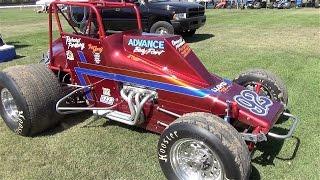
(221, 138)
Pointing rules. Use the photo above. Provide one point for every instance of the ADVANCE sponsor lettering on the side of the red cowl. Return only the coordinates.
(146, 47)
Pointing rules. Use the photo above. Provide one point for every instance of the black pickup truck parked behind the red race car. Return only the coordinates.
(158, 16)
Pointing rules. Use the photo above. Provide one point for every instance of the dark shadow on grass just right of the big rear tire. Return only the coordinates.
(68, 122)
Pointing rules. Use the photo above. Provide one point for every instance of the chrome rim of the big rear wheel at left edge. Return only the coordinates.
(9, 105)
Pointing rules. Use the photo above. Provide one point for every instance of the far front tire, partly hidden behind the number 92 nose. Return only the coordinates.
(274, 86)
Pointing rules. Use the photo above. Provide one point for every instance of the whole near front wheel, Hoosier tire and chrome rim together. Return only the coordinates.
(203, 146)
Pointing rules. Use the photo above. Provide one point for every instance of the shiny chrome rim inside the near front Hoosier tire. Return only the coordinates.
(193, 159)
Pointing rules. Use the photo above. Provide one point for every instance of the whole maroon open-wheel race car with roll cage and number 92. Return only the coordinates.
(208, 124)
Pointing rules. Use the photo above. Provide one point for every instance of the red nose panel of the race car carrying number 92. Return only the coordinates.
(253, 109)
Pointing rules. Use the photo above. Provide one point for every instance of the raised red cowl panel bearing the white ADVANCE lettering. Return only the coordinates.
(170, 54)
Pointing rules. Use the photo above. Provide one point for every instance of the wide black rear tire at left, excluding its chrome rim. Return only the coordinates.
(35, 90)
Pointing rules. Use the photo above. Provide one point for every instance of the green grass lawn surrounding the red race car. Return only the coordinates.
(287, 42)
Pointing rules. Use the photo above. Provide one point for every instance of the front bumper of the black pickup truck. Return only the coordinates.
(188, 23)
